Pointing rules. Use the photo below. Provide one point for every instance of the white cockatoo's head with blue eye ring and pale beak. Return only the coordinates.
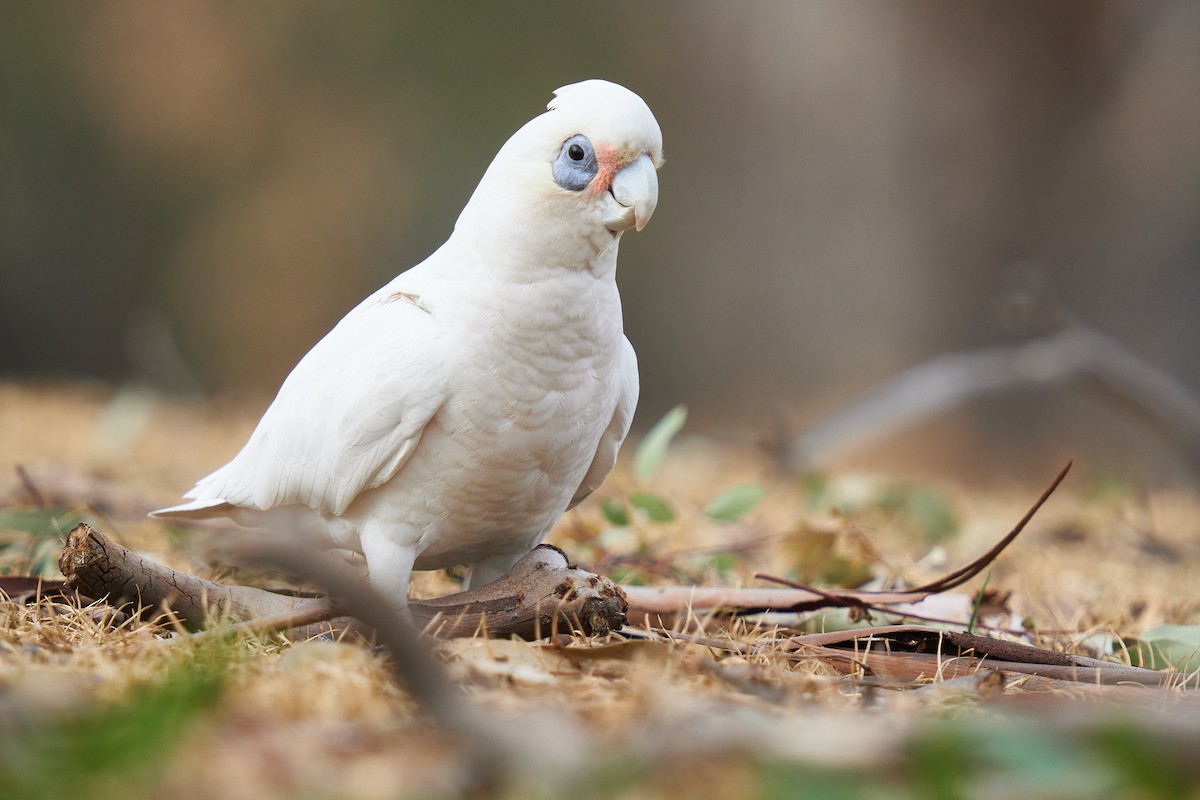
(571, 182)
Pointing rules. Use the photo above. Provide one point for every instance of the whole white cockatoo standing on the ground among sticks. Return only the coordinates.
(459, 412)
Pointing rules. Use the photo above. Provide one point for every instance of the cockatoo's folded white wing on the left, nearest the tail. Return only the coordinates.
(347, 418)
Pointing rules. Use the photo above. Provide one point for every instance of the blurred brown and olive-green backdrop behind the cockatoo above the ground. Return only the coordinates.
(193, 194)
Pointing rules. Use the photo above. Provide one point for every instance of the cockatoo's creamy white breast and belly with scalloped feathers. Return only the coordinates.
(538, 384)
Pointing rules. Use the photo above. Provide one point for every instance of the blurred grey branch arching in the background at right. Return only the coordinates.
(951, 381)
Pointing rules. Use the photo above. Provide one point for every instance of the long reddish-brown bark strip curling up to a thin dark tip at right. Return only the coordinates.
(661, 606)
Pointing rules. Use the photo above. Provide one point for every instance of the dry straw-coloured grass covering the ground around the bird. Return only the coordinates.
(620, 719)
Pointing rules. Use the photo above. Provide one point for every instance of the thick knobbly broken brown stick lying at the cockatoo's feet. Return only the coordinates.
(541, 593)
